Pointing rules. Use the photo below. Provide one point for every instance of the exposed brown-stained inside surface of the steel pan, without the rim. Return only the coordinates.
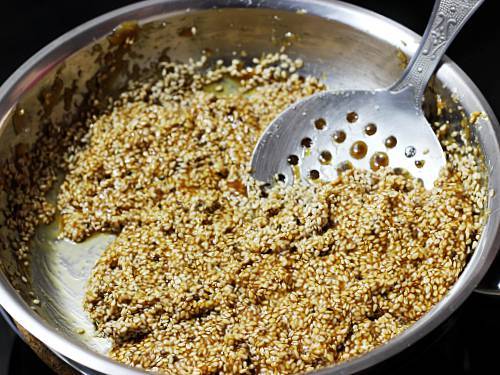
(340, 54)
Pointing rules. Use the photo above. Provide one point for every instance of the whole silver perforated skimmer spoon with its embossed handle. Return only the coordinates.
(392, 112)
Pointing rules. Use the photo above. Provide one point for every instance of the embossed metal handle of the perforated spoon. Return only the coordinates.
(447, 19)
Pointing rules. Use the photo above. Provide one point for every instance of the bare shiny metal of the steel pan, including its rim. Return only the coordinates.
(346, 46)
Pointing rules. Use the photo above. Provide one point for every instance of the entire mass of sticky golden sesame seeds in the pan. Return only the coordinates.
(210, 274)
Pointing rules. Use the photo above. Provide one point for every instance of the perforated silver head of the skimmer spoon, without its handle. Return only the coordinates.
(320, 136)
